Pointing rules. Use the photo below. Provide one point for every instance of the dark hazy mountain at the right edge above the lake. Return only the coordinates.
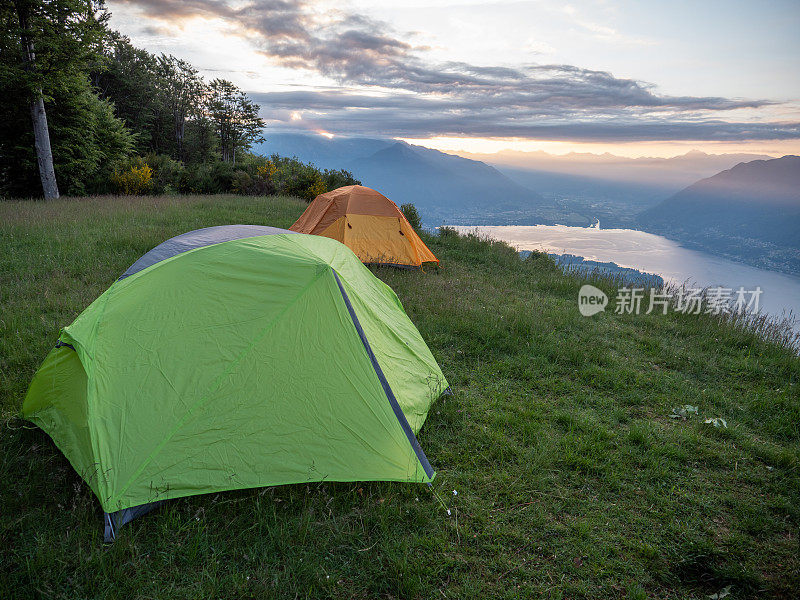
(750, 212)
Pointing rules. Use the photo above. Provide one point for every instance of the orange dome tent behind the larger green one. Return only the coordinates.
(368, 223)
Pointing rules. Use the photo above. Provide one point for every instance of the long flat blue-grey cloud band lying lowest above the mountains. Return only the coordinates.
(417, 117)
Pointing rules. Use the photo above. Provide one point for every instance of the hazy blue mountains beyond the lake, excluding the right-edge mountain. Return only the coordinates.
(521, 188)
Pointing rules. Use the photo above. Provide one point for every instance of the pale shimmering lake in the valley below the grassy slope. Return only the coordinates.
(653, 254)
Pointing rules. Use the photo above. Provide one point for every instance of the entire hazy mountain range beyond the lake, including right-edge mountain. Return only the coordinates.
(750, 211)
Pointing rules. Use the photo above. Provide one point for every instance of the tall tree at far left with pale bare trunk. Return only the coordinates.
(42, 44)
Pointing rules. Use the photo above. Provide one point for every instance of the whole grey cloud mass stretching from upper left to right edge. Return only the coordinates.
(414, 97)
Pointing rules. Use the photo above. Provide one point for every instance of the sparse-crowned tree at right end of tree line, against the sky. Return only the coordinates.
(235, 118)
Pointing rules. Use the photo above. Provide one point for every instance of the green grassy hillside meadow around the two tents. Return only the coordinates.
(572, 479)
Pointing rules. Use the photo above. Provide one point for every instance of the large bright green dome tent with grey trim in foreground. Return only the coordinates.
(235, 357)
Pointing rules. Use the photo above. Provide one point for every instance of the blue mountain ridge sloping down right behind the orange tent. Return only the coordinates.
(445, 188)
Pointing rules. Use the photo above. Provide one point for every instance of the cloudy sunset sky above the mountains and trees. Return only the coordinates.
(631, 78)
